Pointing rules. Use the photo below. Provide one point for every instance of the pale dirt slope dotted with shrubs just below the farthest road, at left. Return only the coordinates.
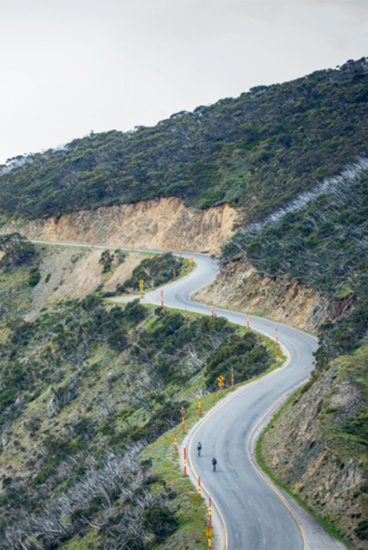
(64, 273)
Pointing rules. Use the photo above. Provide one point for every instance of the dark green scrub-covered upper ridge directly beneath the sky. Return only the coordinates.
(256, 151)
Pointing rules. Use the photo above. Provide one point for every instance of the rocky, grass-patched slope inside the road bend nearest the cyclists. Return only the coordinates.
(317, 447)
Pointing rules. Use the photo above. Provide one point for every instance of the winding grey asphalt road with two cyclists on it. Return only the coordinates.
(249, 512)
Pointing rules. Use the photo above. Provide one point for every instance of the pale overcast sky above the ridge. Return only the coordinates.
(72, 66)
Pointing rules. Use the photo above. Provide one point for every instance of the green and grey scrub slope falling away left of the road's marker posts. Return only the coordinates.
(84, 389)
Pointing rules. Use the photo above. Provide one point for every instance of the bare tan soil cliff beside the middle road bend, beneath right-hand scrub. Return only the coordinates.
(240, 288)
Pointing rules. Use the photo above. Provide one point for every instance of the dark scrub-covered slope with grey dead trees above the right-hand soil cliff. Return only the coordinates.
(322, 245)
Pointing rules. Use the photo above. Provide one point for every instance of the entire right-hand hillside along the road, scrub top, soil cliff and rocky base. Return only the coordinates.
(311, 261)
